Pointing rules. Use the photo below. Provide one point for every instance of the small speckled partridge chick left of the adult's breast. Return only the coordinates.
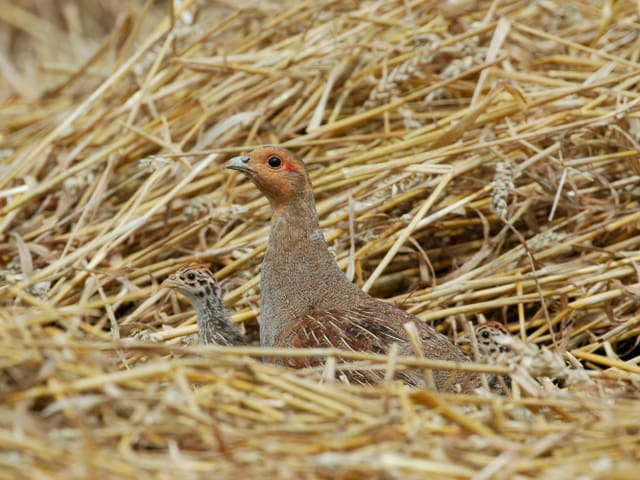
(197, 283)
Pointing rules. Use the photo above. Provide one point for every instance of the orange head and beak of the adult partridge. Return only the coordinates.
(279, 174)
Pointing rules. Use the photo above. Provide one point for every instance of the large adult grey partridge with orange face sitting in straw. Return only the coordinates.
(307, 302)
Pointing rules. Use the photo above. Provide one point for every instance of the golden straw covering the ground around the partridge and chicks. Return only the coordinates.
(472, 161)
